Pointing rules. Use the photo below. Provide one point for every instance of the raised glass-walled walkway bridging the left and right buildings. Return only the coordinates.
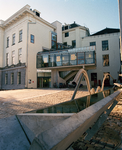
(84, 56)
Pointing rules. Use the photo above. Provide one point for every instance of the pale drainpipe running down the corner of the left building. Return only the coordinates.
(27, 51)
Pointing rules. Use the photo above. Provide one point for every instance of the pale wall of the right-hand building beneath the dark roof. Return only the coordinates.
(114, 54)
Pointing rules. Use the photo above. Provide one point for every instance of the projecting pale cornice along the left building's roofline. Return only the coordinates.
(22, 12)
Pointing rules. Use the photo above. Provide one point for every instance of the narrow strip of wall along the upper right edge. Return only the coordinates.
(120, 20)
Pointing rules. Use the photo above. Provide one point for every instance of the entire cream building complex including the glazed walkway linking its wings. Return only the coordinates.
(34, 53)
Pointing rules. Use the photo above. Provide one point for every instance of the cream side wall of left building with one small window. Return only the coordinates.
(42, 34)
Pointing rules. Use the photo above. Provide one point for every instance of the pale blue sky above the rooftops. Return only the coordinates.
(94, 14)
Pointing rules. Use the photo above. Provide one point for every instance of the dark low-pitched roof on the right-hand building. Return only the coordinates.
(106, 31)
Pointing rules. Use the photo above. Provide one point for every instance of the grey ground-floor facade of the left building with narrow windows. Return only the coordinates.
(13, 70)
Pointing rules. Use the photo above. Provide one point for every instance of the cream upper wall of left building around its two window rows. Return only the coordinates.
(9, 31)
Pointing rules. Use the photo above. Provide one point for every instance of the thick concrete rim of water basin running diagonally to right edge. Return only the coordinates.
(61, 134)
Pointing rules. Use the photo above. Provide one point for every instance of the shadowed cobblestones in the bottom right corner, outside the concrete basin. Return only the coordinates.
(109, 135)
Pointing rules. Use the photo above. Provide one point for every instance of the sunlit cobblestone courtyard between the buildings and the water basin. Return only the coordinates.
(15, 105)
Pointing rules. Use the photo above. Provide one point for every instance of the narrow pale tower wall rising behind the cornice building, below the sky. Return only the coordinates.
(58, 26)
